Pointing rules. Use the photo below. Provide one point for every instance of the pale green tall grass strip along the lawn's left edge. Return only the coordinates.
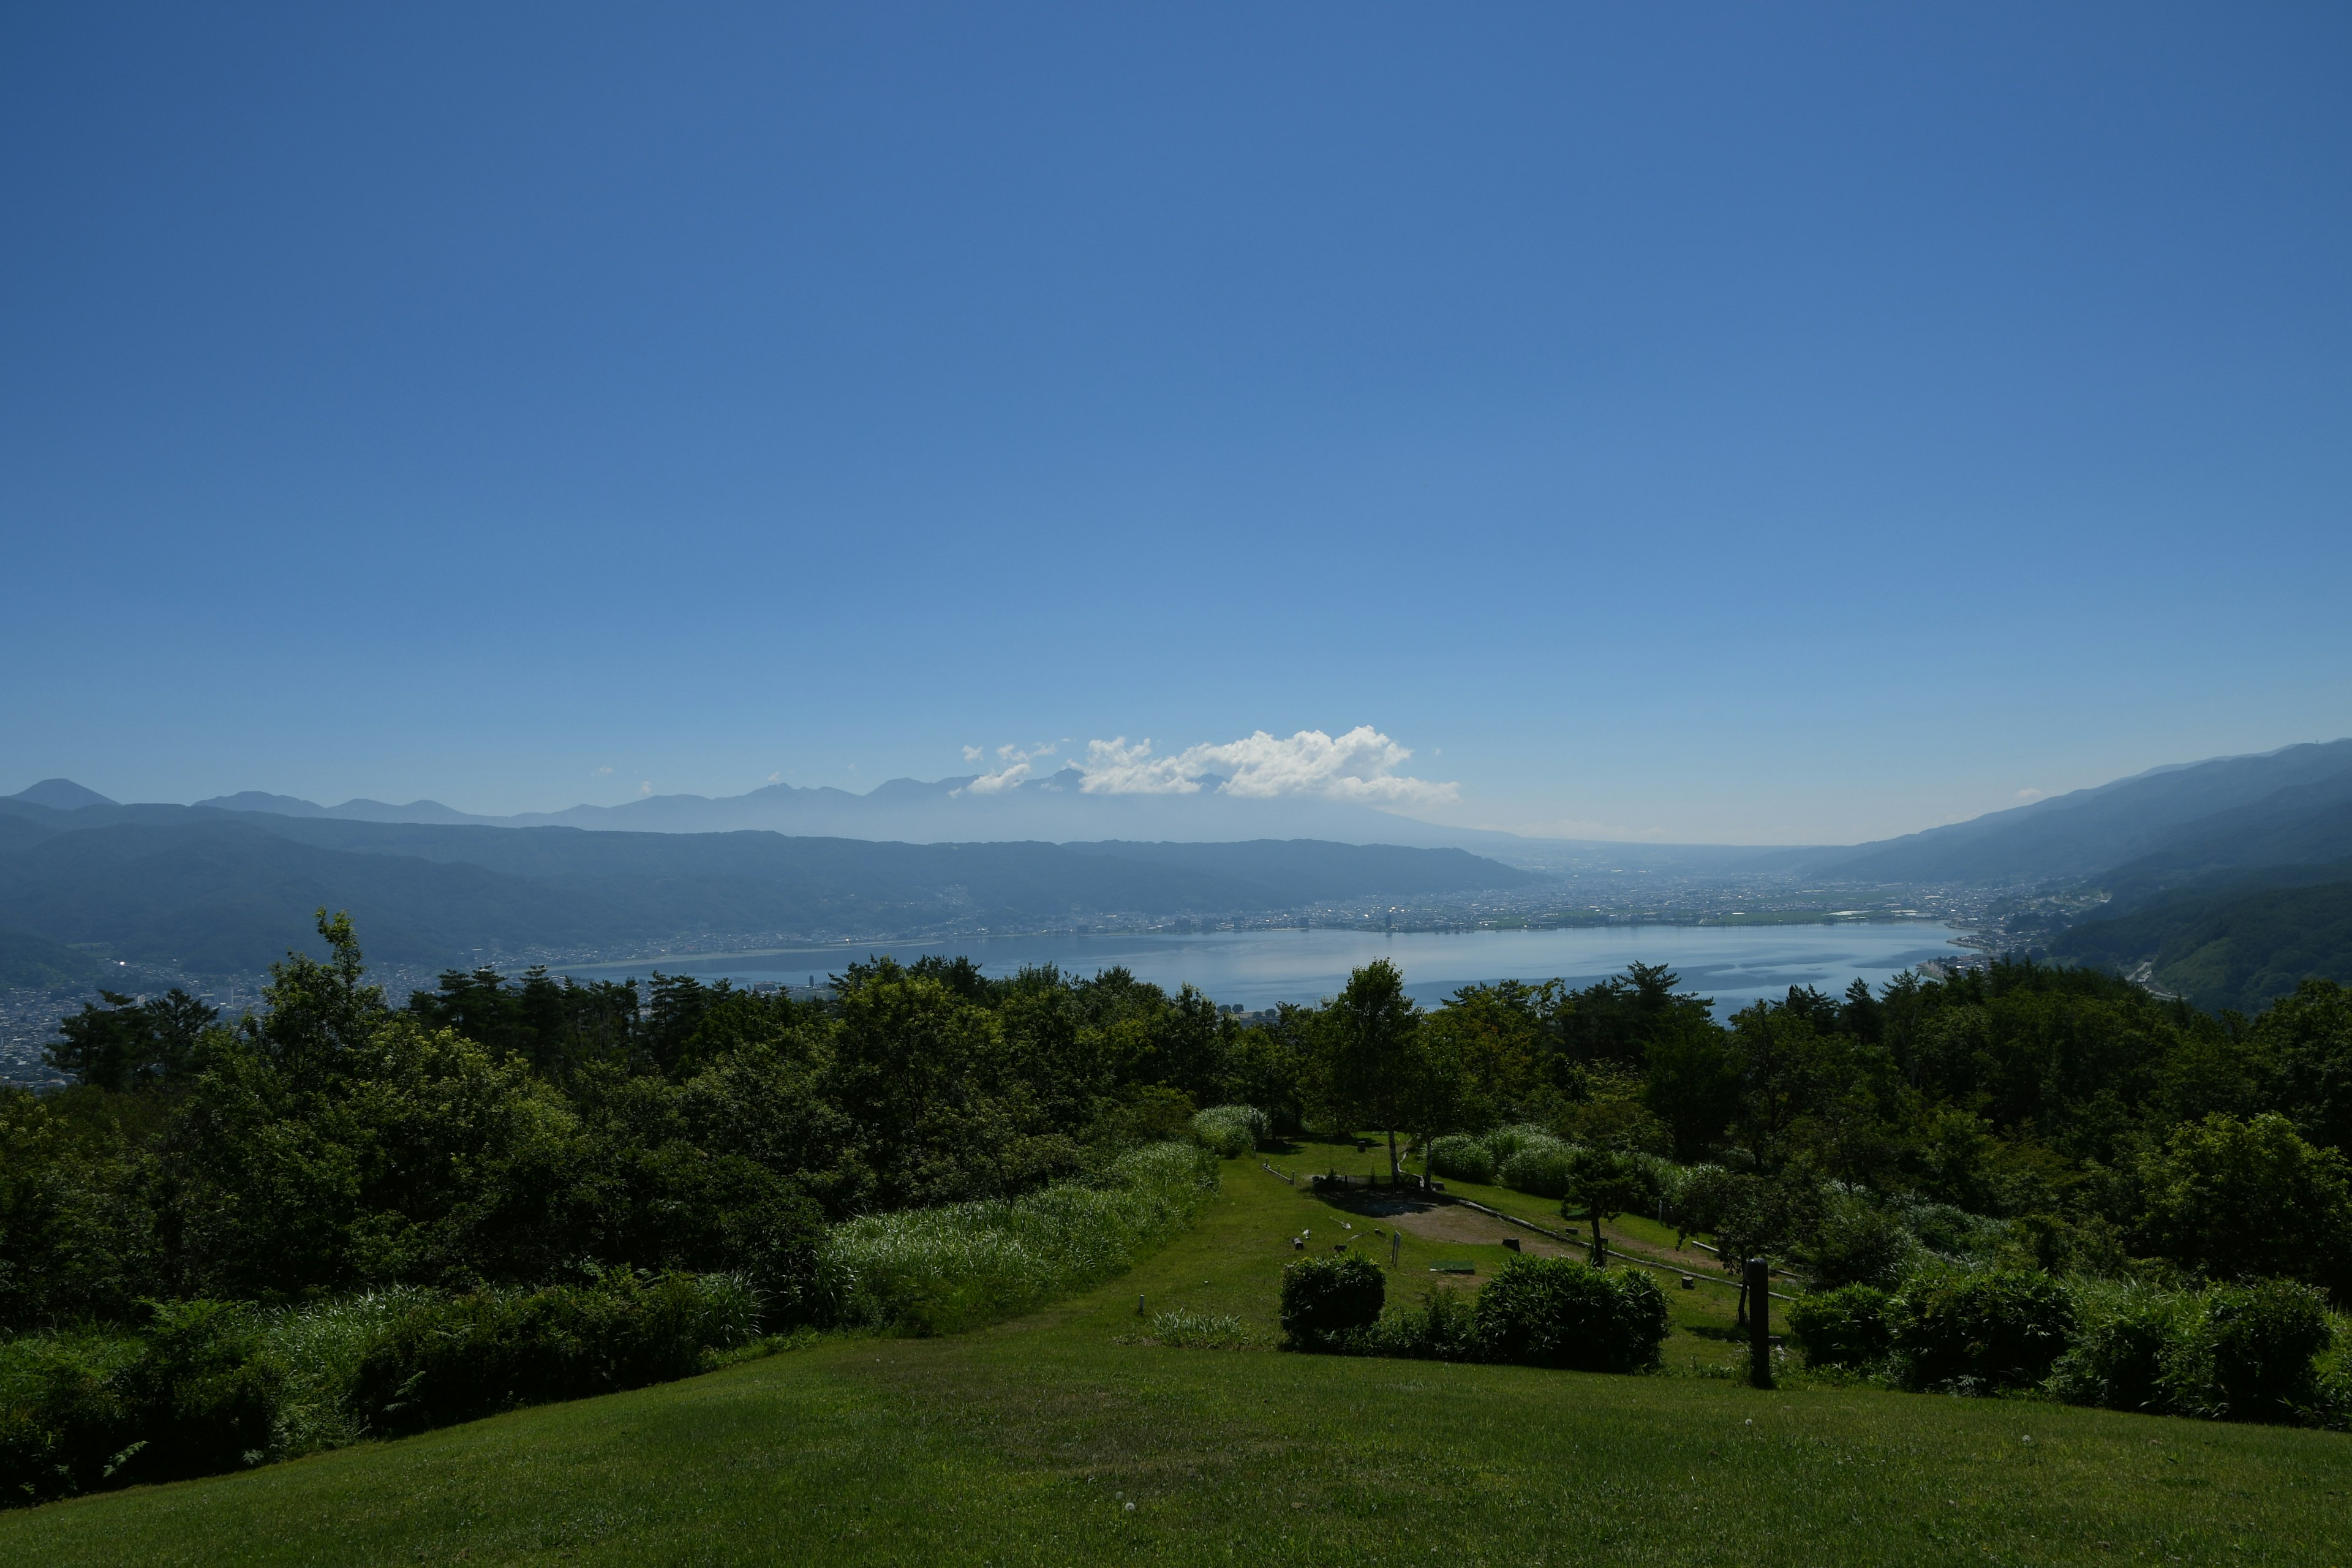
(937, 1271)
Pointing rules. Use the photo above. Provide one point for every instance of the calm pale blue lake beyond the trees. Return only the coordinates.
(1259, 970)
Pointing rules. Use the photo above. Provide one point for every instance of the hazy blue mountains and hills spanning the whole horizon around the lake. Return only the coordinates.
(2236, 850)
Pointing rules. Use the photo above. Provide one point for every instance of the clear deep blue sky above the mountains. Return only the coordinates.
(1711, 422)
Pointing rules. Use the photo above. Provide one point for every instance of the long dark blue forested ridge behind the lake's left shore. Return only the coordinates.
(232, 892)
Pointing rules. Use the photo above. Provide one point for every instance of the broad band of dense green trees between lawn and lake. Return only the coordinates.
(599, 1186)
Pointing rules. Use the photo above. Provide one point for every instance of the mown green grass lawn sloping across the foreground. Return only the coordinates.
(1029, 1442)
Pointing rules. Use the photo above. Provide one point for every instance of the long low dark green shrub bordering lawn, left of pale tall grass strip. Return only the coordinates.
(493, 1351)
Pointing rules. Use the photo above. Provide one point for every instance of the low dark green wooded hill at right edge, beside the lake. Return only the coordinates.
(2229, 946)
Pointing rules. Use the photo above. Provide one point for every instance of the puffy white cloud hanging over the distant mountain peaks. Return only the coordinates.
(1361, 765)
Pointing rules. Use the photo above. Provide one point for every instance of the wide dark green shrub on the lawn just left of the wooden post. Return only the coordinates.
(1565, 1313)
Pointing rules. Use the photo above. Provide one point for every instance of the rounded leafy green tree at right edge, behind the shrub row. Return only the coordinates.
(2250, 1200)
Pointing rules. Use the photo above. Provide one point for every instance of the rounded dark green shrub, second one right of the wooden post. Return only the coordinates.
(1982, 1332)
